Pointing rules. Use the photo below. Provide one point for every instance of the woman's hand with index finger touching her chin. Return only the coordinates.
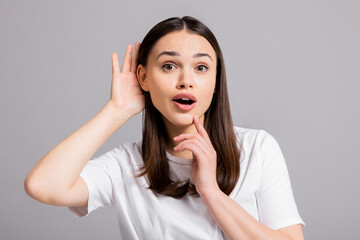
(204, 158)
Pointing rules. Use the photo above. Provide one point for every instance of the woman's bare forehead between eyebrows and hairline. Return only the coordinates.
(186, 43)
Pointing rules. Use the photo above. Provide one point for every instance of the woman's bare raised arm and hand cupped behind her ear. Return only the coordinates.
(56, 176)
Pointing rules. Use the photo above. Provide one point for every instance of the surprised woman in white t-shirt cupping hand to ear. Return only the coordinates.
(193, 175)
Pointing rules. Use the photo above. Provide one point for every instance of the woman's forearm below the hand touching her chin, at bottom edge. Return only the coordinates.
(235, 222)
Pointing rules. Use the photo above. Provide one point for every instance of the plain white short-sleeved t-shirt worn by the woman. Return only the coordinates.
(263, 190)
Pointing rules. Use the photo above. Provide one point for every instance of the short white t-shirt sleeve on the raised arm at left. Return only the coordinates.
(101, 175)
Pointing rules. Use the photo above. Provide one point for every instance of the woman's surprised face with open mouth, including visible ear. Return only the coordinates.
(180, 63)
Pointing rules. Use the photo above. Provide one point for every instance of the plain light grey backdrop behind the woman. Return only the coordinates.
(293, 70)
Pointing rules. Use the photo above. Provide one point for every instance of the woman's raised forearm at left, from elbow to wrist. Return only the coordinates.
(60, 167)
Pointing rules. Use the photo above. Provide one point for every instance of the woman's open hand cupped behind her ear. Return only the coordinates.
(126, 94)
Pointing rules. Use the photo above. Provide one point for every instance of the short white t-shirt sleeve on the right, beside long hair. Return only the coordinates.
(275, 200)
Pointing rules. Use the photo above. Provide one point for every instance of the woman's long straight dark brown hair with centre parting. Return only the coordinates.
(218, 122)
